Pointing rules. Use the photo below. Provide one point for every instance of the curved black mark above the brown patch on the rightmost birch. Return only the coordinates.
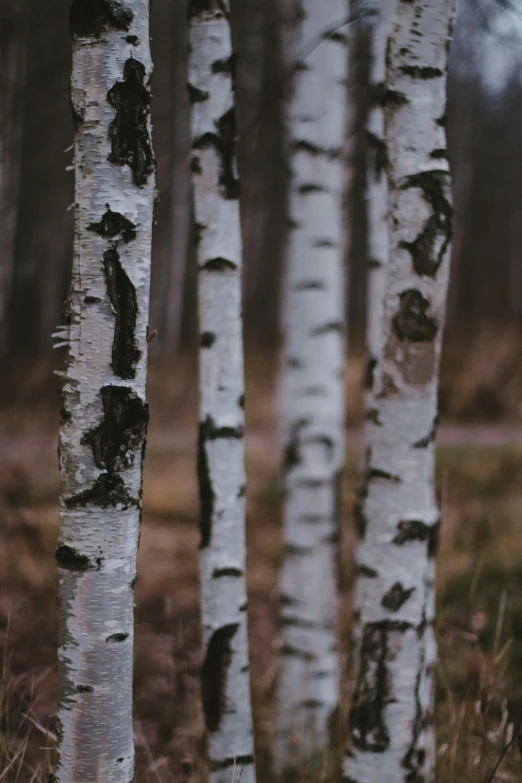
(429, 248)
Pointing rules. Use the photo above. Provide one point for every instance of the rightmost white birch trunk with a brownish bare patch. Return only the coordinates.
(391, 720)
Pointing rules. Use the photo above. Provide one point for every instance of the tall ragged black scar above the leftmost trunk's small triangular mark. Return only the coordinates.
(129, 132)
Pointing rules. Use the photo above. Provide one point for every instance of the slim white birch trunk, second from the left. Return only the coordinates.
(225, 677)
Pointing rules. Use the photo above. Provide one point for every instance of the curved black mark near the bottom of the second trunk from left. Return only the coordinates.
(214, 675)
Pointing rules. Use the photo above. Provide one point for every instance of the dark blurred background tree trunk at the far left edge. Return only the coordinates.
(13, 54)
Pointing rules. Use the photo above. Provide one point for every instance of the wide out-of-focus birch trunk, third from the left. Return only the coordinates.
(313, 389)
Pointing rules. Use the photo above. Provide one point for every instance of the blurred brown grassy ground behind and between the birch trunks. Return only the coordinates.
(479, 696)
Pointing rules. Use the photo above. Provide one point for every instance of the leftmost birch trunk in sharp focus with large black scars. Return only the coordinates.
(104, 414)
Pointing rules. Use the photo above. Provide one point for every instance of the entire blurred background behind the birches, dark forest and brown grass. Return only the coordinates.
(479, 467)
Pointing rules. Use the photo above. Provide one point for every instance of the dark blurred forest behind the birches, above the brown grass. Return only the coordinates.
(485, 101)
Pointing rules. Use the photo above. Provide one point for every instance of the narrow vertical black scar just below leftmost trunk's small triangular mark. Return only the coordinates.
(122, 295)
